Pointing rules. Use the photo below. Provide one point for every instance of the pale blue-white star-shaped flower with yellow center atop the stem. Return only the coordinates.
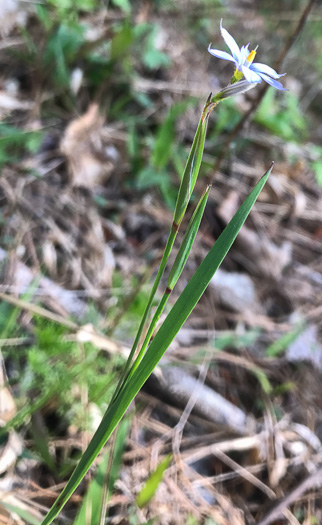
(243, 60)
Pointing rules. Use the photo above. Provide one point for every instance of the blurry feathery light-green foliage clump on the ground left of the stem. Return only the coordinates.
(54, 366)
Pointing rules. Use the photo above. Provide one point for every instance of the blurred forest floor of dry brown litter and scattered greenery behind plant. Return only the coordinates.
(98, 109)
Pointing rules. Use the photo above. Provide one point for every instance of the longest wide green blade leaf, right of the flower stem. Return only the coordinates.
(169, 329)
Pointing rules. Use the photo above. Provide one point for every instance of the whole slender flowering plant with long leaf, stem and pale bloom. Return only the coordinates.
(147, 352)
